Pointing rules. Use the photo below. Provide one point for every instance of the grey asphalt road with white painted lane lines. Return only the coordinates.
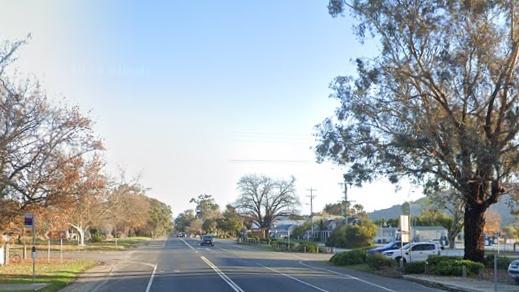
(183, 265)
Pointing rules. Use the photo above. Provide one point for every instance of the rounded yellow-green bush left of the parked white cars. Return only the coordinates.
(353, 236)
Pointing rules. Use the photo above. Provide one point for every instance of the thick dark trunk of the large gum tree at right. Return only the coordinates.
(473, 229)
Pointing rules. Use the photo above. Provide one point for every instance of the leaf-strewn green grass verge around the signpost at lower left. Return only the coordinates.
(56, 274)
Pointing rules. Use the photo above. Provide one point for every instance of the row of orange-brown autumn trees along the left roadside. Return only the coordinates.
(50, 165)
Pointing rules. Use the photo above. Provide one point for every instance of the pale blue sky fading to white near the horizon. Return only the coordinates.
(189, 96)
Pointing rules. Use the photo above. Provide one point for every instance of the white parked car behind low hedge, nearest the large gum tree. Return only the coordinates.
(414, 252)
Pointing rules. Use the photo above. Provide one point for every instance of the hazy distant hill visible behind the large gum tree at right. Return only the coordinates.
(502, 207)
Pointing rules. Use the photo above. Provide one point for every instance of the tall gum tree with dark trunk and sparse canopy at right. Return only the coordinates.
(438, 105)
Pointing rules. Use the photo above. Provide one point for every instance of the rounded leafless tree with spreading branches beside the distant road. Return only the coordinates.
(263, 199)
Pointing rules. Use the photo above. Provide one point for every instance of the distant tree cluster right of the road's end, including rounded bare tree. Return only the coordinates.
(261, 201)
